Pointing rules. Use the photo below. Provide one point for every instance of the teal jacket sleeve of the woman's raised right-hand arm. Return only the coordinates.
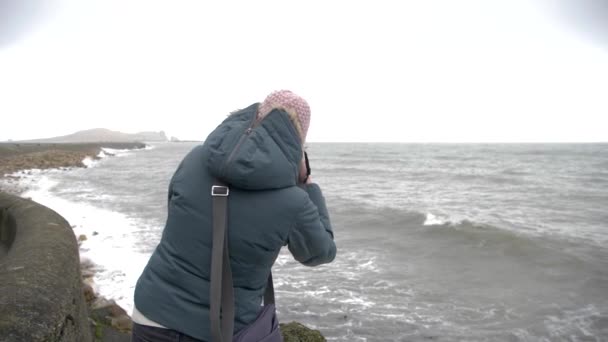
(311, 242)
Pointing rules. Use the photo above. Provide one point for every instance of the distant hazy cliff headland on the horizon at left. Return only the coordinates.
(105, 135)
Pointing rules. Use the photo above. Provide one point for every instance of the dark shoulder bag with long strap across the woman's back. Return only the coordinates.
(265, 328)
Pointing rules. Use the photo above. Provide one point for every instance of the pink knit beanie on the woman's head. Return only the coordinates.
(294, 105)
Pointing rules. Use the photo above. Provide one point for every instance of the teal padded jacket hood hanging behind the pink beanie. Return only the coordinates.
(253, 154)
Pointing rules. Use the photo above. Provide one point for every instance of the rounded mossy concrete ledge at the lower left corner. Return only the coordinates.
(41, 295)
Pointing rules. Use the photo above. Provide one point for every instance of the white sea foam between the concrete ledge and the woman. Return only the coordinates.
(111, 241)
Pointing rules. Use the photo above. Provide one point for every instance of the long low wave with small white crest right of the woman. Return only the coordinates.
(394, 228)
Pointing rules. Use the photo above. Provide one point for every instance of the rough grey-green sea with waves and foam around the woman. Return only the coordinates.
(436, 242)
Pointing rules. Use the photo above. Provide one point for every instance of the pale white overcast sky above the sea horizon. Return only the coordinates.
(411, 71)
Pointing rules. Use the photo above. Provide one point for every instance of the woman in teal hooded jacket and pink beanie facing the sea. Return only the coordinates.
(273, 202)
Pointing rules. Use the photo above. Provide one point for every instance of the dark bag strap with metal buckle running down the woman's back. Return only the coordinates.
(221, 289)
